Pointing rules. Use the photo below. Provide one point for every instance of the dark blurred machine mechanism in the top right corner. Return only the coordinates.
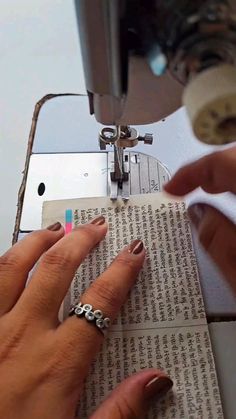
(203, 35)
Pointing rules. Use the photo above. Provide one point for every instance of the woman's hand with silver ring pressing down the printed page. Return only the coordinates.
(43, 364)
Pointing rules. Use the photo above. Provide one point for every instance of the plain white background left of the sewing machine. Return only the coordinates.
(39, 54)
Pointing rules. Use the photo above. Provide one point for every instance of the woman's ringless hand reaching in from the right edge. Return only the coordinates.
(215, 173)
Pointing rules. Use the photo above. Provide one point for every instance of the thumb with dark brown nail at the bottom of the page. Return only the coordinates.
(131, 398)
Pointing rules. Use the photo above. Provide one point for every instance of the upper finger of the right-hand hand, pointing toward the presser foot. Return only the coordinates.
(215, 173)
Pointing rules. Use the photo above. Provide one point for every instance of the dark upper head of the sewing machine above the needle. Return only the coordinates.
(130, 48)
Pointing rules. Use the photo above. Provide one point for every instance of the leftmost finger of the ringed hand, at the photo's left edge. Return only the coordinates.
(16, 264)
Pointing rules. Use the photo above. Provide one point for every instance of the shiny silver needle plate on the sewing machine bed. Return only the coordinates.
(84, 175)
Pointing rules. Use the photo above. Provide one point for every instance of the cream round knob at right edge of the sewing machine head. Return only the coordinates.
(210, 100)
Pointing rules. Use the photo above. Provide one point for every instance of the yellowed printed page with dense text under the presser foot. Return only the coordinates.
(163, 323)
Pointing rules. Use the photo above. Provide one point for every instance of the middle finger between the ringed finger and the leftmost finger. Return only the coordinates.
(52, 278)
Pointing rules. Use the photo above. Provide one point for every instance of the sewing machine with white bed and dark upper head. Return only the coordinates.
(142, 60)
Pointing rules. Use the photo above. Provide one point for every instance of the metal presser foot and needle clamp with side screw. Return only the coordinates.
(120, 138)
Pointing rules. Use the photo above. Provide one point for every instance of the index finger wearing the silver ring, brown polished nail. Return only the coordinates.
(107, 293)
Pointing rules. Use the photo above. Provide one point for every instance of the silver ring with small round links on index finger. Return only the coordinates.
(94, 316)
